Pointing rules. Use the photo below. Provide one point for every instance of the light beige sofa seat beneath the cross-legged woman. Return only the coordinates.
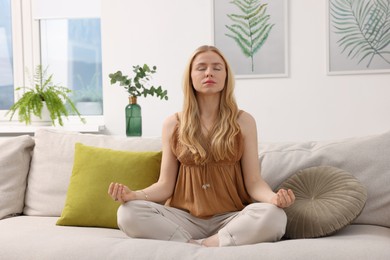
(29, 237)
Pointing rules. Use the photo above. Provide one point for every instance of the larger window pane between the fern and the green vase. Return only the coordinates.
(71, 50)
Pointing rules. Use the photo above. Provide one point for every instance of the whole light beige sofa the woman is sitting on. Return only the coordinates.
(35, 173)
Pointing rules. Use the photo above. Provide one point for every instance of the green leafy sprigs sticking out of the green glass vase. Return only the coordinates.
(139, 85)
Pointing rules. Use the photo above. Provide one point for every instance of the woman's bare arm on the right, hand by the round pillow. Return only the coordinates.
(257, 188)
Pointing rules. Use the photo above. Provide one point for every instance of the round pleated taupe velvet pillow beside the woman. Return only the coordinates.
(327, 199)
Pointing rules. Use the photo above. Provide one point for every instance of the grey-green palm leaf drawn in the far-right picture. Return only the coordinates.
(364, 28)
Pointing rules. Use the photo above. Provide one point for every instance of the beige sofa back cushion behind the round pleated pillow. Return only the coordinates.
(366, 158)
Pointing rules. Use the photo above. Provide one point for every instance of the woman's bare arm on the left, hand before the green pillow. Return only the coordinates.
(163, 188)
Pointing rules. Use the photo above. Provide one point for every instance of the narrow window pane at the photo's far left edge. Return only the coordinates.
(6, 57)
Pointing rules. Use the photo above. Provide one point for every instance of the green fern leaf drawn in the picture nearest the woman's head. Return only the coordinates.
(251, 27)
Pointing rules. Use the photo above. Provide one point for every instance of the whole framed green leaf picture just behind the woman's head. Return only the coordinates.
(272, 57)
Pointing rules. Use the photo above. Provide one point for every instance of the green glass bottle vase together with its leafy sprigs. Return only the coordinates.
(139, 85)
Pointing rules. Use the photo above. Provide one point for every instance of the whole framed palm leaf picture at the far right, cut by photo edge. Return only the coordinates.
(347, 51)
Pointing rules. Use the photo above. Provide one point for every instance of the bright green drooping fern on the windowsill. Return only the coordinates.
(43, 94)
